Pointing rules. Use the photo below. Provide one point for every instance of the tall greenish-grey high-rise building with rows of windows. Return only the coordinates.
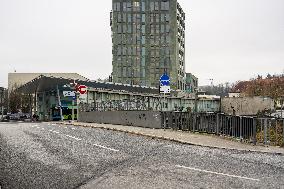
(148, 38)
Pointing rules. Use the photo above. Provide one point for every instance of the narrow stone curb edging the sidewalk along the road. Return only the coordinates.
(171, 139)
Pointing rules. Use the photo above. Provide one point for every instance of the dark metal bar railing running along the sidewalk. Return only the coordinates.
(268, 131)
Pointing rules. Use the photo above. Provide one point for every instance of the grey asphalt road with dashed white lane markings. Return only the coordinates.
(45, 155)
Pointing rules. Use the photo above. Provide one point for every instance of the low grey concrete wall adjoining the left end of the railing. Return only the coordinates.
(147, 119)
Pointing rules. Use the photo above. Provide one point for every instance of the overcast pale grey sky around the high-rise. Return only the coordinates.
(226, 40)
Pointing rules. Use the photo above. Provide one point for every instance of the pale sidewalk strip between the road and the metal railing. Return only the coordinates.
(184, 137)
